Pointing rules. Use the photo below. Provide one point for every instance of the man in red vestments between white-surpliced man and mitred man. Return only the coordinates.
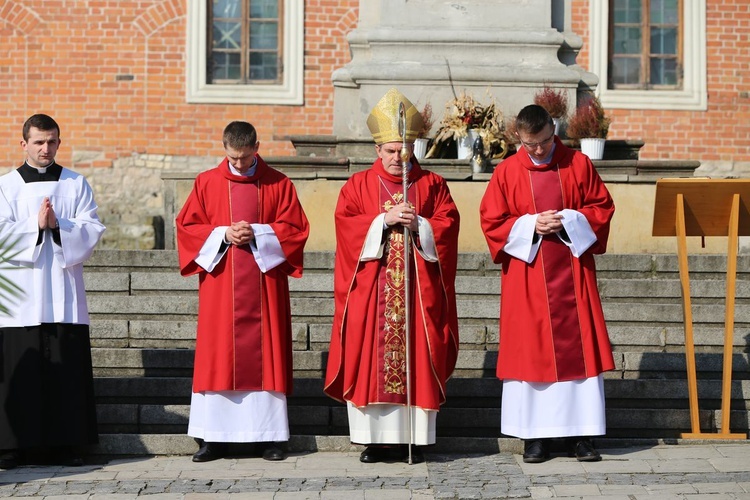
(242, 230)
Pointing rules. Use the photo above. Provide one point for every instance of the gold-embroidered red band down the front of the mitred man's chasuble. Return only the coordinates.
(391, 350)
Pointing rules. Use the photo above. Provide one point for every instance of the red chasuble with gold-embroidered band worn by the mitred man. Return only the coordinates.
(366, 361)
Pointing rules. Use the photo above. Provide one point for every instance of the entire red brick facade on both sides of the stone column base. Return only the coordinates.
(112, 72)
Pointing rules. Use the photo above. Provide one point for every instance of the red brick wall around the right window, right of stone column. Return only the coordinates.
(718, 137)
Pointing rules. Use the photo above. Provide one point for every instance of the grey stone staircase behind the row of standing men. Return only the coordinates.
(143, 317)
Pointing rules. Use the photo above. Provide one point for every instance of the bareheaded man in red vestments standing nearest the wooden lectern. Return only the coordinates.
(545, 214)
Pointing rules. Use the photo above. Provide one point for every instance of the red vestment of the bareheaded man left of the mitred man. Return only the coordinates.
(244, 340)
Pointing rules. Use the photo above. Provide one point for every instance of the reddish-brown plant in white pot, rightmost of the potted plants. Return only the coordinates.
(590, 125)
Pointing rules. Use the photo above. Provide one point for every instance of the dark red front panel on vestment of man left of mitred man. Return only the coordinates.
(244, 201)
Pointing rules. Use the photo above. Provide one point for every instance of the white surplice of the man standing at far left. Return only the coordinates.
(50, 275)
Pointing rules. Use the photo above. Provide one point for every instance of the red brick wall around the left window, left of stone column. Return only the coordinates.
(113, 74)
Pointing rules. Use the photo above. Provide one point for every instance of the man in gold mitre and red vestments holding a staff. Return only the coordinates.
(367, 363)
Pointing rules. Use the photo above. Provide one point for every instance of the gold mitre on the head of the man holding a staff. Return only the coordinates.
(383, 121)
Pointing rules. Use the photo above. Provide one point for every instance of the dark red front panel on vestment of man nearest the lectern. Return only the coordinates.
(557, 263)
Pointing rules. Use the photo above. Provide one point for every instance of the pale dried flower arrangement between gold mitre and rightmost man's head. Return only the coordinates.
(462, 113)
